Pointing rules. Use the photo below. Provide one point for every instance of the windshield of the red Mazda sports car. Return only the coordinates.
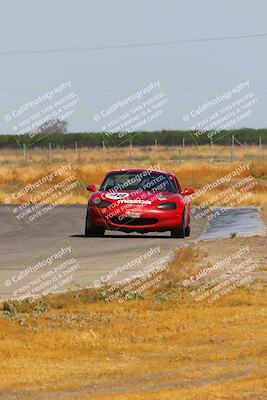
(143, 180)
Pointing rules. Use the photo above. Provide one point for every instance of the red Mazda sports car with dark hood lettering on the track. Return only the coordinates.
(139, 200)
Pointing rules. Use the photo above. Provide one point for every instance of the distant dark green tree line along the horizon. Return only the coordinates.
(164, 137)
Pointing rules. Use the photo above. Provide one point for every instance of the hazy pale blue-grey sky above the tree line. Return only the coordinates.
(189, 73)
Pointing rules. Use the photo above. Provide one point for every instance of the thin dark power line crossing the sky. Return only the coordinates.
(129, 46)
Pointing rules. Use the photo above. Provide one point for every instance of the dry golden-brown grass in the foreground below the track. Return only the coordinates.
(161, 347)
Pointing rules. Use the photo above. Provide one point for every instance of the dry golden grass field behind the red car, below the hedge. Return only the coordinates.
(195, 170)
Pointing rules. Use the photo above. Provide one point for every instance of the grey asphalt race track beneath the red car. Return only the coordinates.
(96, 258)
